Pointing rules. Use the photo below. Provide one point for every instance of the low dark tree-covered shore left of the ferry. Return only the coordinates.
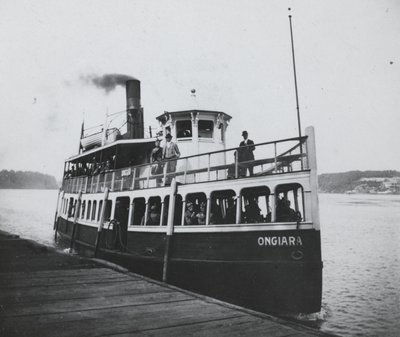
(26, 179)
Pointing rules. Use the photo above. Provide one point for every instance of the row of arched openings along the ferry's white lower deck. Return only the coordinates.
(253, 205)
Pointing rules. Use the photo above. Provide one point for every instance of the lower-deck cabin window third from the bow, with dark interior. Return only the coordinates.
(223, 207)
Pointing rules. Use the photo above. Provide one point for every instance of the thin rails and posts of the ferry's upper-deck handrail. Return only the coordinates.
(98, 182)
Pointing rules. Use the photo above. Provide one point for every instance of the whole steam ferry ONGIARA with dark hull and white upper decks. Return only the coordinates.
(245, 231)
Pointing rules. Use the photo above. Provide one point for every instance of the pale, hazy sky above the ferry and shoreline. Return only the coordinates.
(235, 53)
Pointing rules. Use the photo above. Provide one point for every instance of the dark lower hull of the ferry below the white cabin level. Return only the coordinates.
(230, 266)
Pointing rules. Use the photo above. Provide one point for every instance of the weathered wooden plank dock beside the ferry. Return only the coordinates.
(47, 293)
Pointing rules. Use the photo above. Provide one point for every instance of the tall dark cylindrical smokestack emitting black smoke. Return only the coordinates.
(135, 123)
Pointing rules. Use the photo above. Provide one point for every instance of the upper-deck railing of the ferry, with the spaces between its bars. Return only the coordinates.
(288, 155)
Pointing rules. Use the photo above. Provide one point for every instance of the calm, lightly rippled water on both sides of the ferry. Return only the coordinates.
(360, 247)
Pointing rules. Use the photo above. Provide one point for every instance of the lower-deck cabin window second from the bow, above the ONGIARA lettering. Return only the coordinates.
(255, 205)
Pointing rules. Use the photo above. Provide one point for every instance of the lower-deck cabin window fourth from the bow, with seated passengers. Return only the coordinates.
(195, 211)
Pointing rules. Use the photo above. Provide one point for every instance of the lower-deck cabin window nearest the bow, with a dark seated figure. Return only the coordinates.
(289, 203)
